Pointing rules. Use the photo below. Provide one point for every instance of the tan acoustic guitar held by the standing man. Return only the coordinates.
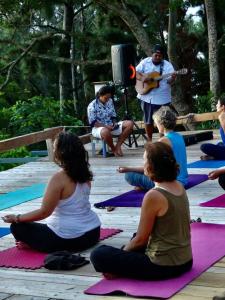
(149, 81)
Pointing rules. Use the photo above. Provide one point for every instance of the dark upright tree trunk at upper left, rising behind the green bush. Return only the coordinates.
(65, 86)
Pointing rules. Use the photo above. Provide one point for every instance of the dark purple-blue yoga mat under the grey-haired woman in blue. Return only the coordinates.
(134, 198)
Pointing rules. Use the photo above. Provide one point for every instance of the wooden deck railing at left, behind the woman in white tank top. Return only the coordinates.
(47, 135)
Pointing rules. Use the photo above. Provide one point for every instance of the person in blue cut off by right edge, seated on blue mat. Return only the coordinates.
(217, 151)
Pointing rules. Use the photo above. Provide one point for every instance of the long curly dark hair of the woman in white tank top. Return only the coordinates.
(71, 155)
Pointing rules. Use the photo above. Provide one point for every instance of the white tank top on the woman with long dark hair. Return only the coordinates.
(73, 216)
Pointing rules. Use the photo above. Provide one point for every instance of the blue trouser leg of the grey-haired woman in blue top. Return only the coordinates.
(140, 180)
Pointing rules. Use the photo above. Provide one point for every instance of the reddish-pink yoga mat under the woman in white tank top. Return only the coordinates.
(32, 259)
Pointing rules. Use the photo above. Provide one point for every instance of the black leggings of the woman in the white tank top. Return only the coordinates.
(40, 237)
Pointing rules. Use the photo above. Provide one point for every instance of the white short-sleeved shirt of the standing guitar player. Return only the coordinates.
(162, 94)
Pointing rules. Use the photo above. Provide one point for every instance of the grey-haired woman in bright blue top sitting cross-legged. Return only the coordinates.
(165, 120)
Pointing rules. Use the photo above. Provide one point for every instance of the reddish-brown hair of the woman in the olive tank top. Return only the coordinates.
(162, 165)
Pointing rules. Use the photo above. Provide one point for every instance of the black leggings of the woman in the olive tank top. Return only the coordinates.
(107, 259)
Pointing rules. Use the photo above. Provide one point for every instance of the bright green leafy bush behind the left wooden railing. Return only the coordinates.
(38, 113)
